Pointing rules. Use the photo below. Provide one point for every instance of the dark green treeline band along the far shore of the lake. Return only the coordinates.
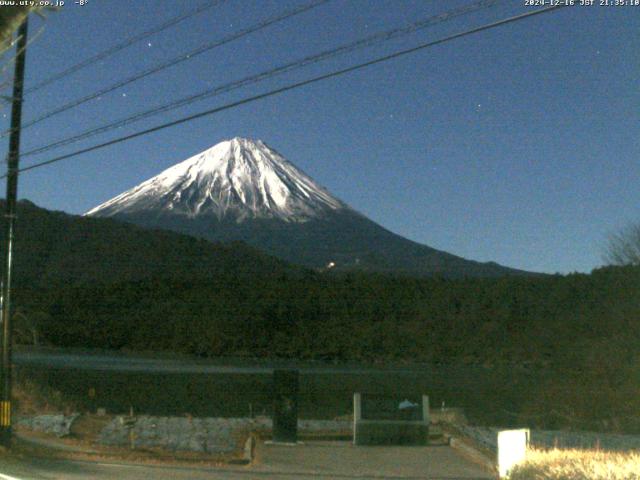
(368, 317)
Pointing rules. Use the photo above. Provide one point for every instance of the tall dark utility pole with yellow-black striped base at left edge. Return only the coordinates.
(10, 217)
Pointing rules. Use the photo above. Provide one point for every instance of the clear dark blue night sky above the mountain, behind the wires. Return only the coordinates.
(519, 145)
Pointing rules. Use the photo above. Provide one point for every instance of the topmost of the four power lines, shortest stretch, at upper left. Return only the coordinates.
(122, 45)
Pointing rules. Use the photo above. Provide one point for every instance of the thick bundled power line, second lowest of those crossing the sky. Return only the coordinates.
(303, 62)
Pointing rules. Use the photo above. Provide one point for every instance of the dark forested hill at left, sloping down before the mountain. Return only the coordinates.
(56, 249)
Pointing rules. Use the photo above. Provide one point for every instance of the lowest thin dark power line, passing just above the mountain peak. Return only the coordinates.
(293, 86)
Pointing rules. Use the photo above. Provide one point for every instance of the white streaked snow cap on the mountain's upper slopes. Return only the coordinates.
(236, 179)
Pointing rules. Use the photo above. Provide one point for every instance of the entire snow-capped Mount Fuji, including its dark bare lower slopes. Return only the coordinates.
(242, 189)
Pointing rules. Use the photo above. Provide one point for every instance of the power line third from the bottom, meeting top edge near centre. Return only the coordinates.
(174, 61)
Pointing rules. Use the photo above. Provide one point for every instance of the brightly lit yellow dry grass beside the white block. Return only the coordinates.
(578, 465)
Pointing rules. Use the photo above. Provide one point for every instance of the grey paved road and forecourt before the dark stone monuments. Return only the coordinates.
(320, 460)
